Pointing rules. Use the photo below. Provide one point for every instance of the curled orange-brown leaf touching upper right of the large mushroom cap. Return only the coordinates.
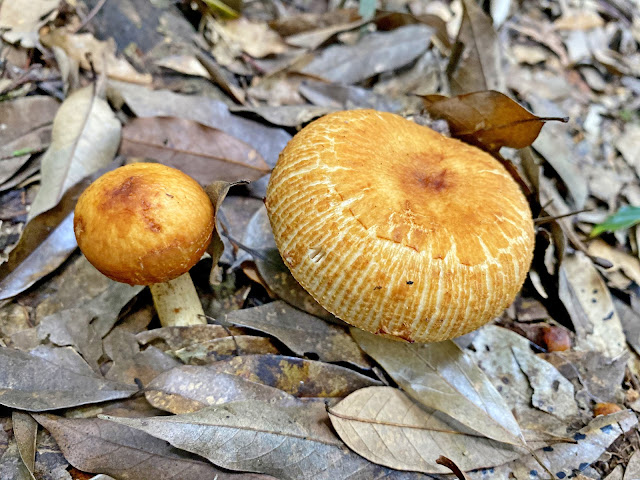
(488, 119)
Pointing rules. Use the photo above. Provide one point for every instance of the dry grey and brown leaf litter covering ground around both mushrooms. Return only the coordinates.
(270, 352)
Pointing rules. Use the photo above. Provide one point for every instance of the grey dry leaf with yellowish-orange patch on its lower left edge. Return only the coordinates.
(190, 388)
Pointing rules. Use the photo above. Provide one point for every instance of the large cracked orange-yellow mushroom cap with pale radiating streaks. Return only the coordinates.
(397, 229)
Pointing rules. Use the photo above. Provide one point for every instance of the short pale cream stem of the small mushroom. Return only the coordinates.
(177, 302)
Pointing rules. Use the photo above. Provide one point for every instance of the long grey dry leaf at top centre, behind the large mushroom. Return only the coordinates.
(374, 53)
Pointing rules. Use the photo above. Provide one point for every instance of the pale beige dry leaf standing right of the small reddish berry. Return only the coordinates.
(590, 307)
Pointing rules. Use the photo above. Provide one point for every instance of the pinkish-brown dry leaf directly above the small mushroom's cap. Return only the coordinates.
(204, 153)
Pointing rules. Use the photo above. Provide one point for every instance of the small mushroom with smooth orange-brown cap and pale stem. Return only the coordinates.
(148, 224)
